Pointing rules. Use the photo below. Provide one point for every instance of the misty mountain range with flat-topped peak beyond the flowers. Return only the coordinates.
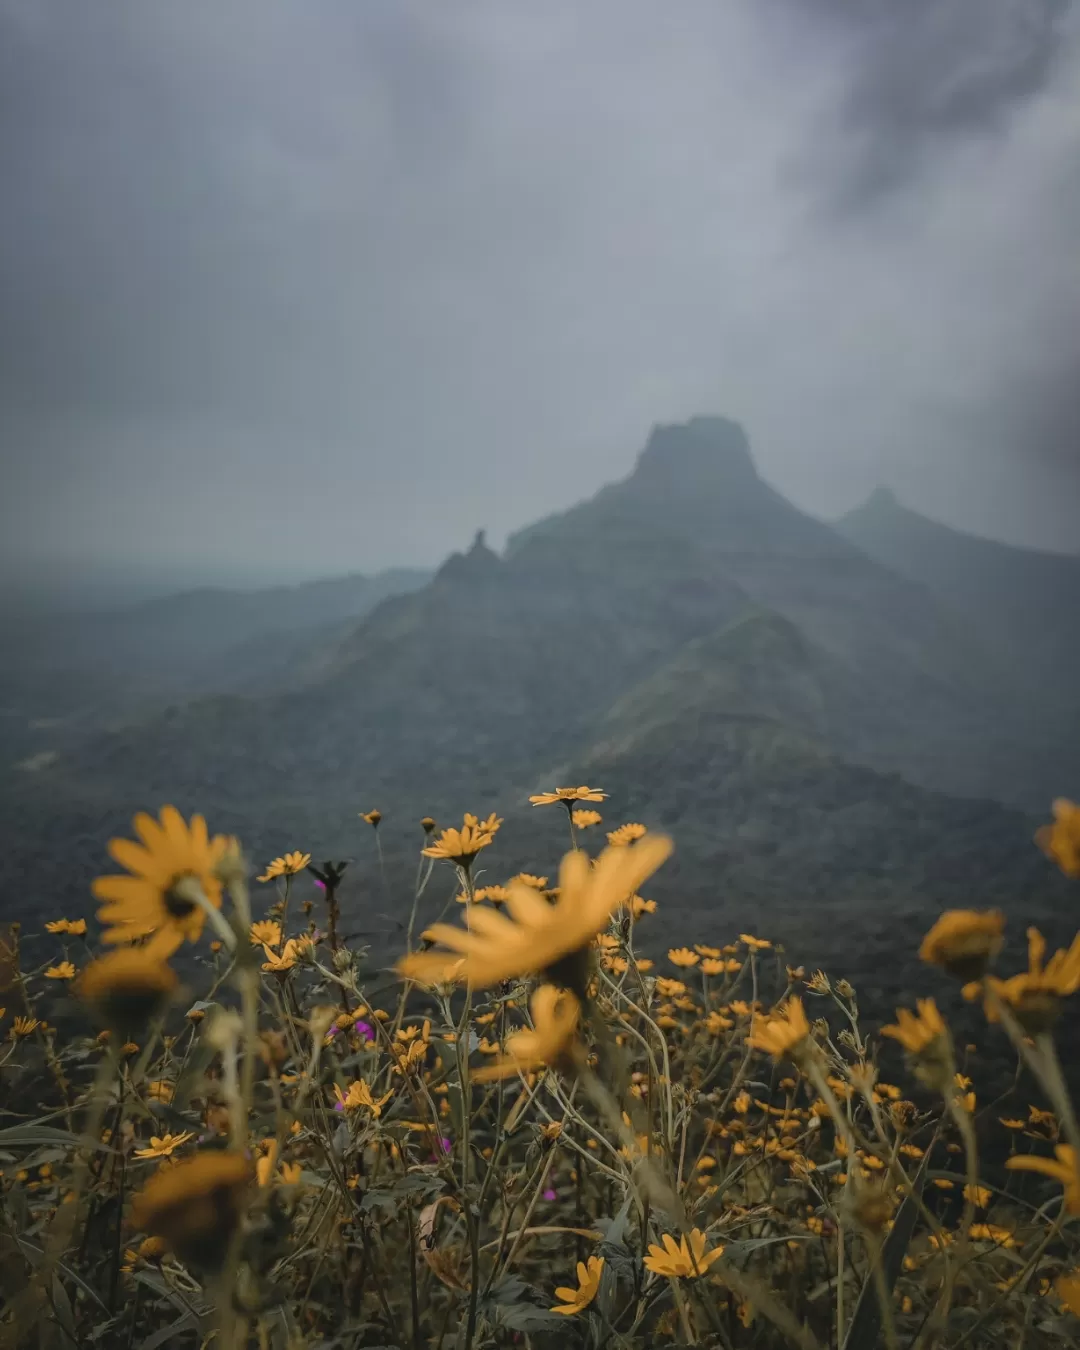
(836, 738)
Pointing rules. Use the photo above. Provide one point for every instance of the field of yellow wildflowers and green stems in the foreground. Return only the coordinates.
(221, 1125)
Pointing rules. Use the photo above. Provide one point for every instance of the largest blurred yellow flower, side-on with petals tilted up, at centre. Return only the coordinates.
(539, 935)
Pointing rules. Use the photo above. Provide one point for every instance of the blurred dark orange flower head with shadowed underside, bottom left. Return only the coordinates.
(196, 1205)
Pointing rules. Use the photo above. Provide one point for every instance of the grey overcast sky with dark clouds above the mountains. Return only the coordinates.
(292, 287)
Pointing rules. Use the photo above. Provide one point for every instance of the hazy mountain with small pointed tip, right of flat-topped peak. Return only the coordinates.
(1021, 603)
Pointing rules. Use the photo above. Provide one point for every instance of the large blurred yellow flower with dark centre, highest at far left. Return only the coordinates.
(172, 859)
